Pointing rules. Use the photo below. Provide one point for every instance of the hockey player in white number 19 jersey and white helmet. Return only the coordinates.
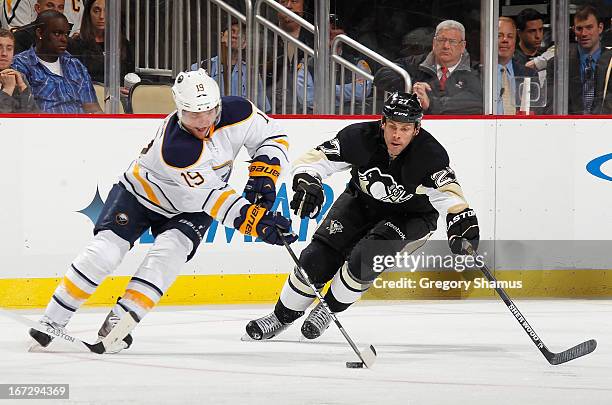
(177, 186)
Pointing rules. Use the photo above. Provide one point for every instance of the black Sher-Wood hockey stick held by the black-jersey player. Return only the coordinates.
(572, 353)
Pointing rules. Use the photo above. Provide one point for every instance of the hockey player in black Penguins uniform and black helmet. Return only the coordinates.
(400, 183)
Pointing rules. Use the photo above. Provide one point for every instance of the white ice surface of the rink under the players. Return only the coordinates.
(429, 352)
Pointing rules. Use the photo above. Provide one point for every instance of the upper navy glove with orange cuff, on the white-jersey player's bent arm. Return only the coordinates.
(260, 188)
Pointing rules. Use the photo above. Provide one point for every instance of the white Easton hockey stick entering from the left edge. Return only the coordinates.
(121, 330)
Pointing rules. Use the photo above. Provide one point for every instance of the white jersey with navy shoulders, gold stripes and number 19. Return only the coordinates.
(179, 173)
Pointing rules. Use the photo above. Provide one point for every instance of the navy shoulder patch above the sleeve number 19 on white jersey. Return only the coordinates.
(180, 149)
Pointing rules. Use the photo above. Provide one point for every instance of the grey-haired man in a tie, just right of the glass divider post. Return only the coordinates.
(509, 68)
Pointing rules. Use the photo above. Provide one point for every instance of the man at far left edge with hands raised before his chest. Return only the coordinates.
(15, 93)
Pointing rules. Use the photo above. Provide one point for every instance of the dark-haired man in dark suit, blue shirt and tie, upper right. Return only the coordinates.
(583, 62)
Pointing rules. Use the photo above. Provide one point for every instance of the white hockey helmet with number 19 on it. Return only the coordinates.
(196, 91)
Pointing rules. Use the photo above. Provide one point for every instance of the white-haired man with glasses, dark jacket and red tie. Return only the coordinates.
(443, 80)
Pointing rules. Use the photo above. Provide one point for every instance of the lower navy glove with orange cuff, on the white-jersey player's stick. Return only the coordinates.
(256, 221)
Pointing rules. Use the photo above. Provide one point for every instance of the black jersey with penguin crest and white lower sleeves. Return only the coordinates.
(418, 180)
